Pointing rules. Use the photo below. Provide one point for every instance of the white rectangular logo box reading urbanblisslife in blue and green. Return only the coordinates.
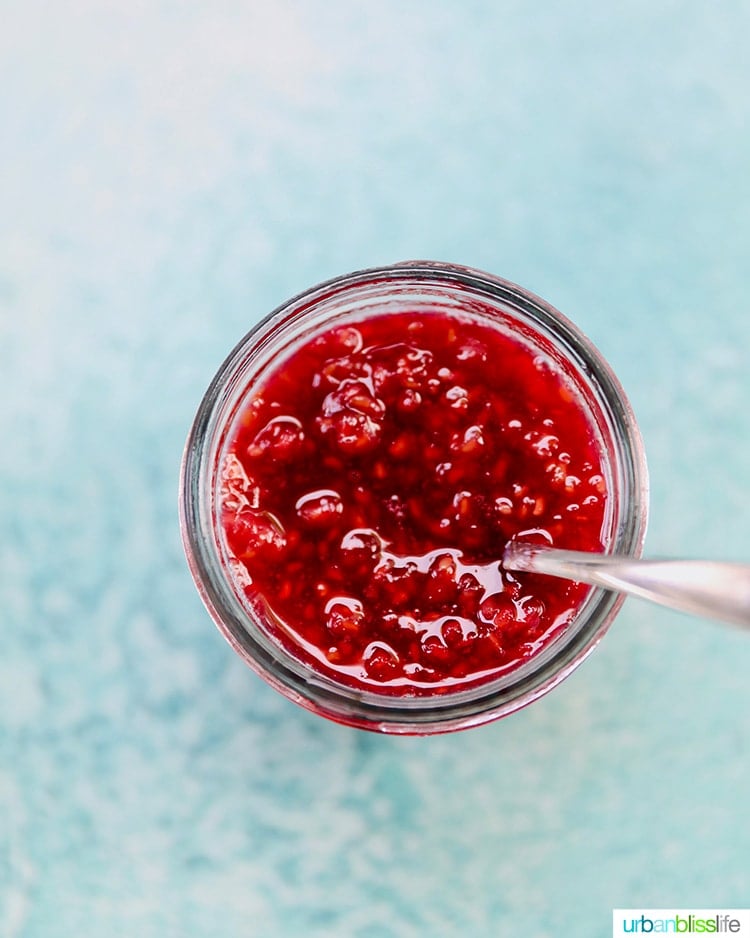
(728, 922)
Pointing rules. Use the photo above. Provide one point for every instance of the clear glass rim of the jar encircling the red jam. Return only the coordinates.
(359, 294)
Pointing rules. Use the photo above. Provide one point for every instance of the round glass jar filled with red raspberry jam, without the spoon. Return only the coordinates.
(356, 470)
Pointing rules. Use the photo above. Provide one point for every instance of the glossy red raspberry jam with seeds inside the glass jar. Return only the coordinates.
(371, 482)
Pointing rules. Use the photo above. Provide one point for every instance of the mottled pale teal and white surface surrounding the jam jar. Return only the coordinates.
(169, 173)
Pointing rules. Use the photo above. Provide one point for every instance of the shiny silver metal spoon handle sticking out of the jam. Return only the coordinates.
(702, 587)
